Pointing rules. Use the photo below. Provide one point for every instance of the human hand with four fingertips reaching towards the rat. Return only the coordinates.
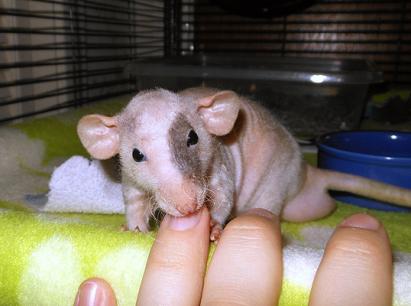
(246, 268)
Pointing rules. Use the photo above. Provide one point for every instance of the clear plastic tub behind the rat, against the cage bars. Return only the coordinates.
(310, 96)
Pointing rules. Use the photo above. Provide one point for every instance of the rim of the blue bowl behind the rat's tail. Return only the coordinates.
(363, 157)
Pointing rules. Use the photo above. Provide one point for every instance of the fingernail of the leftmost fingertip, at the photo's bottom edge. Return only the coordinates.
(90, 294)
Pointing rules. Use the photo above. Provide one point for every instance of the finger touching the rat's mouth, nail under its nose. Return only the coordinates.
(176, 265)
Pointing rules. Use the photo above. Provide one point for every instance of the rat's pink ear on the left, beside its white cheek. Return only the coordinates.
(99, 135)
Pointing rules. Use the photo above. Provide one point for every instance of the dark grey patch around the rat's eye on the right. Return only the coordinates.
(186, 157)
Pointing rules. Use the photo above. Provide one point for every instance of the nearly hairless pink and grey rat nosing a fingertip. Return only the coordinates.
(202, 146)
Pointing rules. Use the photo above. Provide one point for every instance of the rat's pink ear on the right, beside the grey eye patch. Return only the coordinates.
(219, 112)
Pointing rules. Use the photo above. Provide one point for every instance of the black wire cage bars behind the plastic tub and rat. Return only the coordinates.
(56, 54)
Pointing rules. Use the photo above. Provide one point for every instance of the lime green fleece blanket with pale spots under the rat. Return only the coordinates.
(45, 256)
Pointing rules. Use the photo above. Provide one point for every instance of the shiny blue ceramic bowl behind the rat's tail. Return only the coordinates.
(379, 155)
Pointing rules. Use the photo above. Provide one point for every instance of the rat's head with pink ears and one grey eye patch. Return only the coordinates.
(166, 143)
